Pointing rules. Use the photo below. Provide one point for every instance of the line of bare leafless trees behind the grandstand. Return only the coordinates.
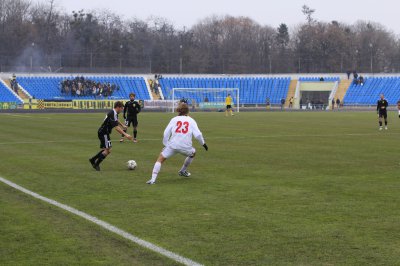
(42, 37)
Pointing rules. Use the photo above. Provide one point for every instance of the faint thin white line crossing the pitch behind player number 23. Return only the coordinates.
(223, 137)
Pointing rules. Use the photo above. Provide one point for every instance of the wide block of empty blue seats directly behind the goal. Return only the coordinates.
(251, 90)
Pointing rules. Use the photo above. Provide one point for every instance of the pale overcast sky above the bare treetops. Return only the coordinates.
(266, 12)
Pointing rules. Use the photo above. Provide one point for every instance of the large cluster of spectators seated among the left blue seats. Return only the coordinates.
(80, 86)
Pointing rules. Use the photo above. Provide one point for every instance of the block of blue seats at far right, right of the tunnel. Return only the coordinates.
(369, 92)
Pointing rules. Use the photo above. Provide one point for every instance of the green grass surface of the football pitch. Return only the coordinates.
(274, 188)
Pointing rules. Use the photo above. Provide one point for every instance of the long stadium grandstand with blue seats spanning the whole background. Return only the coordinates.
(253, 90)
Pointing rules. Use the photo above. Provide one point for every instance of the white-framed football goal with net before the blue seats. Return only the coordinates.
(205, 99)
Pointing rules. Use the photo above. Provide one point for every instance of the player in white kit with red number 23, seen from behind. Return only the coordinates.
(178, 139)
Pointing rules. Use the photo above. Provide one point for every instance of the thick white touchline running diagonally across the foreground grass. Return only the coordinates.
(106, 226)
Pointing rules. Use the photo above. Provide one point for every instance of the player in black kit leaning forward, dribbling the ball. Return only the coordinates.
(104, 132)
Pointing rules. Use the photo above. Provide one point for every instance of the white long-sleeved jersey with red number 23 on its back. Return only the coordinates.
(179, 132)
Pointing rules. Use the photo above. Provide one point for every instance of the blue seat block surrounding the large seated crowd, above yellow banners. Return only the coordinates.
(48, 88)
